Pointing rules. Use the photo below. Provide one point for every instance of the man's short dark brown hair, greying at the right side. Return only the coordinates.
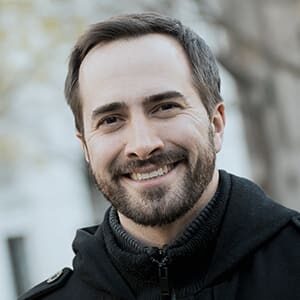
(203, 65)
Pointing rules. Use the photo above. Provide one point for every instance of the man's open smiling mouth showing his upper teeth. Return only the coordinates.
(151, 173)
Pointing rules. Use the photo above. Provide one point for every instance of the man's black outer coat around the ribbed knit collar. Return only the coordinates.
(256, 257)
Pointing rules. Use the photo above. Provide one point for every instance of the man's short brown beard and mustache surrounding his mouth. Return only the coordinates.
(164, 204)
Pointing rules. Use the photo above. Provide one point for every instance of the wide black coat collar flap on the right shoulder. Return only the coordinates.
(250, 219)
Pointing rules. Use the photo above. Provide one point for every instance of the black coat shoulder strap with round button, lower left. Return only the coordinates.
(46, 287)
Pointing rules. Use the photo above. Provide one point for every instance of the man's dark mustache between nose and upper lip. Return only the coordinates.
(118, 168)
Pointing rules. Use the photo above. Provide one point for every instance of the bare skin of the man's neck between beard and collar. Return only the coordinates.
(158, 236)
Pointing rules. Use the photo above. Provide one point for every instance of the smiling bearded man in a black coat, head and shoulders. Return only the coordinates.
(145, 93)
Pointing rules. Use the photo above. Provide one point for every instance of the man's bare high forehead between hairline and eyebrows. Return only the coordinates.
(135, 67)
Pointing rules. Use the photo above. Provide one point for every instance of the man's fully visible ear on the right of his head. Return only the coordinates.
(218, 121)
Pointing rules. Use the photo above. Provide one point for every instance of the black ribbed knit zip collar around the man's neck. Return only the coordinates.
(188, 256)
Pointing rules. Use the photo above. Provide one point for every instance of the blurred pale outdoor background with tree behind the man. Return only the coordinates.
(45, 189)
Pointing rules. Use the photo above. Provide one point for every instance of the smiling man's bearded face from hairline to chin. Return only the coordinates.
(147, 136)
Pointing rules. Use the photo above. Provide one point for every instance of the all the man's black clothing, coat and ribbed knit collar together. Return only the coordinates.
(243, 248)
